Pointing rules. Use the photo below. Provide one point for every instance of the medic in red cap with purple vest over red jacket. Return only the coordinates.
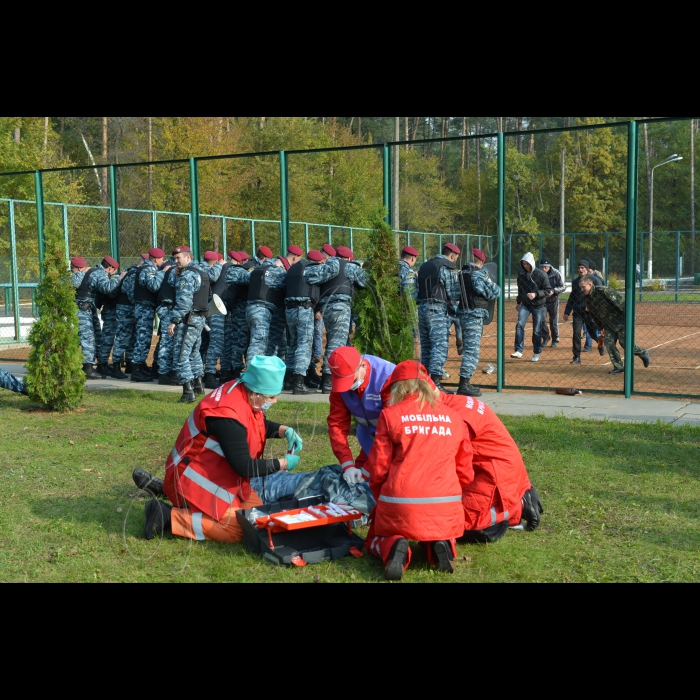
(357, 393)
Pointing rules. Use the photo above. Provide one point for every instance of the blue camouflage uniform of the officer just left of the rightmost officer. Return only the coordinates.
(434, 323)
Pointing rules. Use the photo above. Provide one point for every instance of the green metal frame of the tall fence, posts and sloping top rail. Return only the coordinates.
(500, 138)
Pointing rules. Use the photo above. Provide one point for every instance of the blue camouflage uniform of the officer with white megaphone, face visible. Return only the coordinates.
(188, 336)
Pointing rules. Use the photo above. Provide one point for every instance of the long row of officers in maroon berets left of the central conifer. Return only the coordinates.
(276, 306)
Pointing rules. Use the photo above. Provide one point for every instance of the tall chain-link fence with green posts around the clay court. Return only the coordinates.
(562, 195)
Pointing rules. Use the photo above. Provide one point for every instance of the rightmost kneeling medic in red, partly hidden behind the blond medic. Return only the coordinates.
(501, 495)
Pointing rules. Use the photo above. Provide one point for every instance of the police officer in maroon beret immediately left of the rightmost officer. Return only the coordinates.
(437, 290)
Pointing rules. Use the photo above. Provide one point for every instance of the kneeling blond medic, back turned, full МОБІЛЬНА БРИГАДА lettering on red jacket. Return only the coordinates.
(419, 467)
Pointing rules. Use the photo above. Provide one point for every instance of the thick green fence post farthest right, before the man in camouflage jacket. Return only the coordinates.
(632, 203)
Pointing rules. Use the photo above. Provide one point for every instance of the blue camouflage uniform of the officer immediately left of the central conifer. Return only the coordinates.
(336, 308)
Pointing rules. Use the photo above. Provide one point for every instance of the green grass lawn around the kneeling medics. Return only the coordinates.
(622, 502)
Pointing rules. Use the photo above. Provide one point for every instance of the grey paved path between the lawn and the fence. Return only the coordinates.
(596, 407)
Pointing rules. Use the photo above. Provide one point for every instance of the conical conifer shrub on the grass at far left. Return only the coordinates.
(55, 375)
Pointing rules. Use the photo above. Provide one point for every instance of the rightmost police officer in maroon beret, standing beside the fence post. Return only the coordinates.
(477, 292)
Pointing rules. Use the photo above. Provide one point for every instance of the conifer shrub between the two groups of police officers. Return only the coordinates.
(386, 316)
